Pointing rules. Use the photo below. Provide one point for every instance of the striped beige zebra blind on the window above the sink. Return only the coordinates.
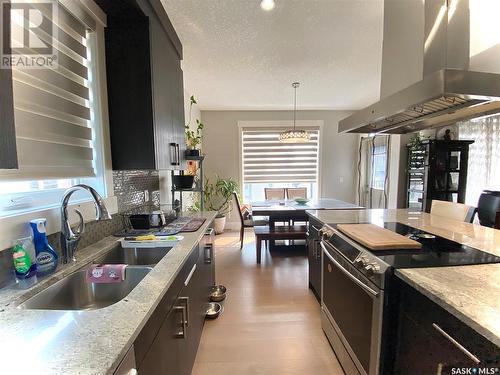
(52, 105)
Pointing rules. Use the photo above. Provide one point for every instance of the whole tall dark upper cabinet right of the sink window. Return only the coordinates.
(145, 89)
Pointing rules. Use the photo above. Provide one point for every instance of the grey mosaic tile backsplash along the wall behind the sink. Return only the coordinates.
(129, 188)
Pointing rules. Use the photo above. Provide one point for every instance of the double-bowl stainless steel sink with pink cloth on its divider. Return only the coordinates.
(73, 292)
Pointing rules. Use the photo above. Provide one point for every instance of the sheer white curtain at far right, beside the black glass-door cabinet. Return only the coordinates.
(484, 156)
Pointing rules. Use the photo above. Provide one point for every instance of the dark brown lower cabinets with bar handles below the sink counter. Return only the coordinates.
(168, 343)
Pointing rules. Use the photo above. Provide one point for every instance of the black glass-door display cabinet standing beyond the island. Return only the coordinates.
(437, 169)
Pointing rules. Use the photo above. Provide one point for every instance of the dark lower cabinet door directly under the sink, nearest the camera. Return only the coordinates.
(165, 354)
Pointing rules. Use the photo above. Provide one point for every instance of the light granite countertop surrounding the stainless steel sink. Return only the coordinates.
(84, 342)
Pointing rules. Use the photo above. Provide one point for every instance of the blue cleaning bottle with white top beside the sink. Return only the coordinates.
(46, 256)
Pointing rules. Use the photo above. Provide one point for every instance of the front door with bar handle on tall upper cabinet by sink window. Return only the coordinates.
(164, 63)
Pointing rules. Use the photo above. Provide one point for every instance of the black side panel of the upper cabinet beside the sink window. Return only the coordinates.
(129, 92)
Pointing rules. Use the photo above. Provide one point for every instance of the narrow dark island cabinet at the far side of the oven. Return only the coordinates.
(314, 256)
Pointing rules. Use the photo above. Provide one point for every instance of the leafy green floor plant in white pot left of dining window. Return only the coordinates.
(218, 197)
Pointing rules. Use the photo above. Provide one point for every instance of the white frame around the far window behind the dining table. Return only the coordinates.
(280, 124)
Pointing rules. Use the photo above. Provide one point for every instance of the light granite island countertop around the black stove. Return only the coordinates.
(471, 293)
